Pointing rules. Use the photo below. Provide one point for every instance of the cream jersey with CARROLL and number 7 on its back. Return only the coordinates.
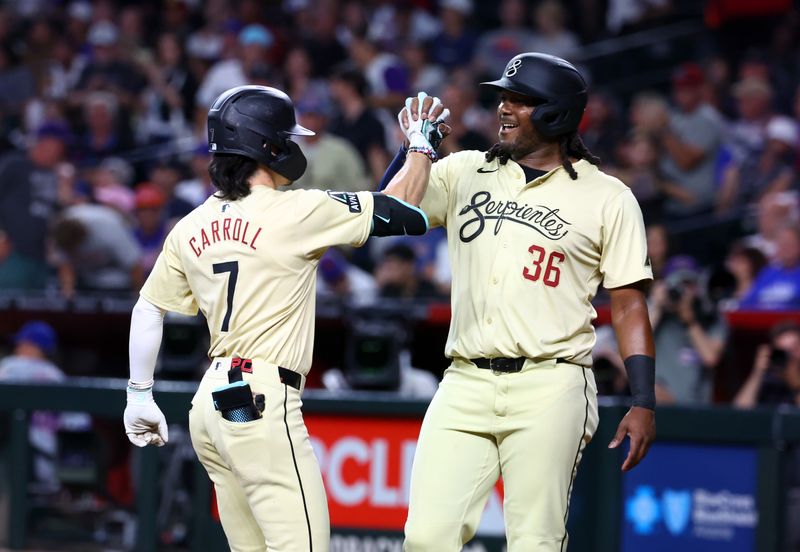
(251, 270)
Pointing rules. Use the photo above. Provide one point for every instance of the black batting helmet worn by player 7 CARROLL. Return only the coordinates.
(257, 122)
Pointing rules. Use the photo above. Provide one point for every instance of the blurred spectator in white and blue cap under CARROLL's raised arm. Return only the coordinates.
(341, 280)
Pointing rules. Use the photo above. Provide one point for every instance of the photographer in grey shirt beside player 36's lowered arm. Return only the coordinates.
(689, 334)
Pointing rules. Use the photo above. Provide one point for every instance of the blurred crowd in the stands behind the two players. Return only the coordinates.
(103, 147)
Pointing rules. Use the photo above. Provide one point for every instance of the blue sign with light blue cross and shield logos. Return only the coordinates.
(692, 498)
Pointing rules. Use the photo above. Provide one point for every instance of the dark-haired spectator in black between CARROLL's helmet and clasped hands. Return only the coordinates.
(356, 122)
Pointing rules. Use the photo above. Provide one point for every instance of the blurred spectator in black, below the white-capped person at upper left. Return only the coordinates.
(106, 133)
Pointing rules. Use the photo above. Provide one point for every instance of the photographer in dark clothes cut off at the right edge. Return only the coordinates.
(775, 378)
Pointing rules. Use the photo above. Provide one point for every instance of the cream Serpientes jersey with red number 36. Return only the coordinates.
(534, 253)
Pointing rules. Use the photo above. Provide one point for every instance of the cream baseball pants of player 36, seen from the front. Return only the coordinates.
(530, 427)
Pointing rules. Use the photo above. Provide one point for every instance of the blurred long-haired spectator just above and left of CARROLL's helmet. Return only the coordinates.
(168, 101)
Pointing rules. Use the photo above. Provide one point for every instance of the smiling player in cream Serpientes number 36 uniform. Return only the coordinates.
(533, 227)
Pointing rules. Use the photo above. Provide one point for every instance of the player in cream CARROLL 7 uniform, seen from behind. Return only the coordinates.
(247, 259)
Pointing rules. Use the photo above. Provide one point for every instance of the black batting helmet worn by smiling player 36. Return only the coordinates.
(553, 80)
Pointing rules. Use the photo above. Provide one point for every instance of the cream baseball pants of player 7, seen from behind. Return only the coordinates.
(267, 480)
